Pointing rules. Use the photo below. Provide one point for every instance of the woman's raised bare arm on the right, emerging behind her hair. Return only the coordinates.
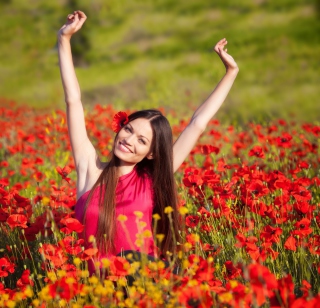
(200, 119)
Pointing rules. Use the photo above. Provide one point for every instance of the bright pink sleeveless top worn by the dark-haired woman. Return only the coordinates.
(133, 193)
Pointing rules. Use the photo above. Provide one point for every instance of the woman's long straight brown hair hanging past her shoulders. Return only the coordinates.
(160, 169)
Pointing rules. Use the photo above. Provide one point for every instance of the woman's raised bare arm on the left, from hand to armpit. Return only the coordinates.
(82, 148)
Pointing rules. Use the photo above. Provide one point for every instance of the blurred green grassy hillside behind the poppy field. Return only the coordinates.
(154, 53)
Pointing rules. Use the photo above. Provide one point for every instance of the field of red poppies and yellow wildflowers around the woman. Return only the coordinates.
(249, 201)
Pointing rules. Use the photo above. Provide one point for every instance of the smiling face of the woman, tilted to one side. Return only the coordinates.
(134, 141)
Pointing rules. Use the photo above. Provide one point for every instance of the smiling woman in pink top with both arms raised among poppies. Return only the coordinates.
(138, 179)
